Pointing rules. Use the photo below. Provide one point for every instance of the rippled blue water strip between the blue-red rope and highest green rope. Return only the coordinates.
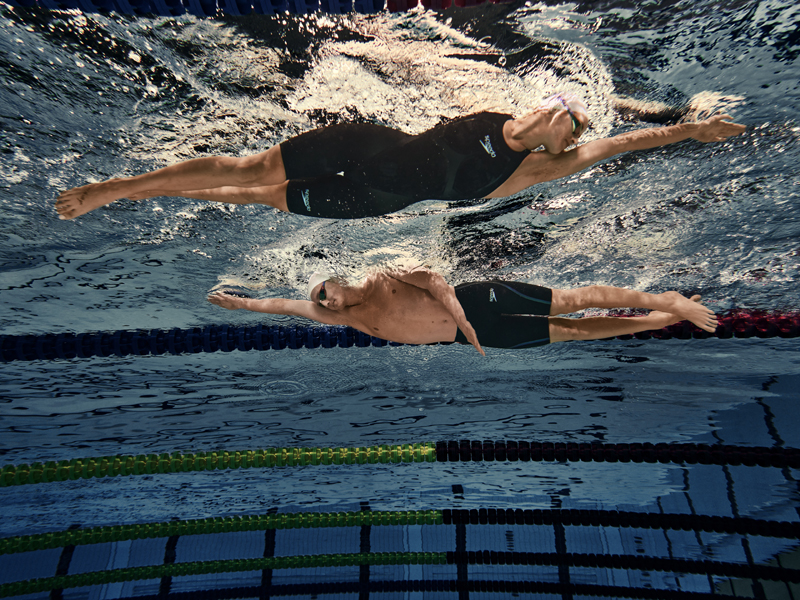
(589, 392)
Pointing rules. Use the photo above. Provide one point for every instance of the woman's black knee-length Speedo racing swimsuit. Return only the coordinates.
(357, 170)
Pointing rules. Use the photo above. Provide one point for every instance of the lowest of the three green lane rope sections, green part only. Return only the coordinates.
(33, 586)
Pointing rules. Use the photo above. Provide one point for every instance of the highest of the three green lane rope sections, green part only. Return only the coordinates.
(113, 466)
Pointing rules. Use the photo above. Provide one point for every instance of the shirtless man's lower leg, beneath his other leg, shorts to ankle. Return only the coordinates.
(595, 328)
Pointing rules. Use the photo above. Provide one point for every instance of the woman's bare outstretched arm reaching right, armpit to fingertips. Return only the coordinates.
(539, 167)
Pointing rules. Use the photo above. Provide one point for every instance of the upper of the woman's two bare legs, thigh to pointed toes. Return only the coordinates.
(263, 169)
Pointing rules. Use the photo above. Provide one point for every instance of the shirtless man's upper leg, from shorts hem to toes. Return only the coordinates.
(601, 296)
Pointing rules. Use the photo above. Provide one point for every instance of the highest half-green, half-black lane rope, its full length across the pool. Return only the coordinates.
(444, 451)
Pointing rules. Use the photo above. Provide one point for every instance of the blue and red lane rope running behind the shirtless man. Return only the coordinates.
(226, 338)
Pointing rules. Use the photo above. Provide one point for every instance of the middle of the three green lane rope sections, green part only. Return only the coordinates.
(119, 533)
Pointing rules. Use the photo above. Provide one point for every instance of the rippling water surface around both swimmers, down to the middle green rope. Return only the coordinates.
(88, 97)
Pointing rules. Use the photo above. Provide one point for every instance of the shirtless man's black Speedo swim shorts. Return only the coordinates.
(506, 314)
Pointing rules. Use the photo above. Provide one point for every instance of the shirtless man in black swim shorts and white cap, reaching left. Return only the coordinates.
(417, 306)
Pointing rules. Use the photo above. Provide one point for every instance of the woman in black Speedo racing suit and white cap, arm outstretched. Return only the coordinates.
(351, 171)
